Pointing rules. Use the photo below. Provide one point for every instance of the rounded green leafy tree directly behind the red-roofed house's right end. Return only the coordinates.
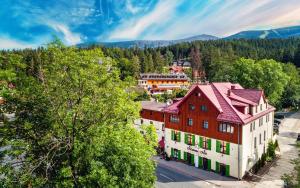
(264, 74)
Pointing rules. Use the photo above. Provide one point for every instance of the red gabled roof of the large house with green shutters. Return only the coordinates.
(225, 96)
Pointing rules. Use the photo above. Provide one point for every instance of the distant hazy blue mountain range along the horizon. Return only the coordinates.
(285, 32)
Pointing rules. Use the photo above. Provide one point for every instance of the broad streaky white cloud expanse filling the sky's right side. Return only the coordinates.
(220, 18)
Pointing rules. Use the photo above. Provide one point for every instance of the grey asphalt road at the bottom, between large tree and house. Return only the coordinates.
(167, 177)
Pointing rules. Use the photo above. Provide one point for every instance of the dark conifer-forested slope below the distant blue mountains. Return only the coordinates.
(282, 50)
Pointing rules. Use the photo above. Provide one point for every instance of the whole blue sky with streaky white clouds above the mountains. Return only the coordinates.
(32, 23)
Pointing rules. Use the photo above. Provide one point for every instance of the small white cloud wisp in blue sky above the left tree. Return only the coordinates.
(69, 37)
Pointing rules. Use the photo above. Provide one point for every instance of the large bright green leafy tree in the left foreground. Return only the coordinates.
(74, 128)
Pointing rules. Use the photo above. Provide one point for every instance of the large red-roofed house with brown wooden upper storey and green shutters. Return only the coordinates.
(220, 127)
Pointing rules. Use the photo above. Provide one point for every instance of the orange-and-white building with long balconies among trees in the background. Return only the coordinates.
(159, 83)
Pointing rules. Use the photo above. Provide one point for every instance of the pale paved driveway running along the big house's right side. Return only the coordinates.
(288, 132)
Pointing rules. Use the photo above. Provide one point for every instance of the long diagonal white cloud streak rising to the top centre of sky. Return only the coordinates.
(131, 29)
